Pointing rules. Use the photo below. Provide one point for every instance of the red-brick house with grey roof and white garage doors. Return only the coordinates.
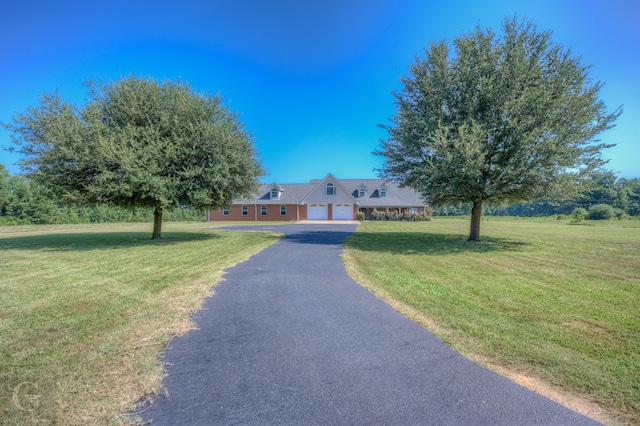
(326, 199)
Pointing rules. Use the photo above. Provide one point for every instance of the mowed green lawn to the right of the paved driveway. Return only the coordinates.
(553, 305)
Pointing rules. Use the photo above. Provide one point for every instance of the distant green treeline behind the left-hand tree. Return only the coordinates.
(23, 203)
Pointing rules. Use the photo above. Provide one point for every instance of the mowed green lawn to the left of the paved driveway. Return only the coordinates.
(85, 312)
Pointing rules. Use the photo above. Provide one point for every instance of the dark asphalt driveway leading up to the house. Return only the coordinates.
(289, 338)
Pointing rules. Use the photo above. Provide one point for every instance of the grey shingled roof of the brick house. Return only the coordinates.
(297, 193)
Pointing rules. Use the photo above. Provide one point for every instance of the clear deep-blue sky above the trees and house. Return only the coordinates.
(310, 79)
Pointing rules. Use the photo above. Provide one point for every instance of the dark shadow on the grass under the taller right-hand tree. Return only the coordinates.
(427, 243)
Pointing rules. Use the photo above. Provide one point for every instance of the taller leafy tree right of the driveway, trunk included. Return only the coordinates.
(504, 118)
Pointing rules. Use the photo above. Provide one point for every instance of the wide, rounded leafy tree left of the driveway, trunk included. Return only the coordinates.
(137, 142)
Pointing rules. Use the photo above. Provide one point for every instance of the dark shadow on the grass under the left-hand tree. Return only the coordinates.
(100, 241)
